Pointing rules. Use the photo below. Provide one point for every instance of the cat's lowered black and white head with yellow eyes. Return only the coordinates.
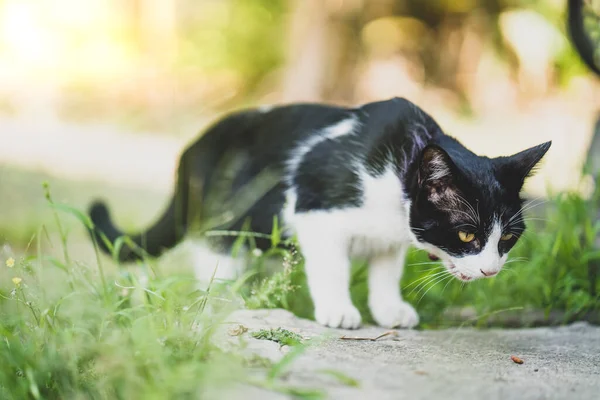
(467, 210)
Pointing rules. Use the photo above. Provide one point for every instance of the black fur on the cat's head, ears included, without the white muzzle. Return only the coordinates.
(490, 186)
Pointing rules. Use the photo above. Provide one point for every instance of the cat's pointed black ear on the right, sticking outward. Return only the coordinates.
(513, 170)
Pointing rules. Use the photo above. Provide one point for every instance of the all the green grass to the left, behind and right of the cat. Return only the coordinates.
(72, 329)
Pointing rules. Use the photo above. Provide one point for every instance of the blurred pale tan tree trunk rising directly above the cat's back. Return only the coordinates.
(323, 52)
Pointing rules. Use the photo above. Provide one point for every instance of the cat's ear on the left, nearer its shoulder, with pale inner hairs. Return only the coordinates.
(435, 167)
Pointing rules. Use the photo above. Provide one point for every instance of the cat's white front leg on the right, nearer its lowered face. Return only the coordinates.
(385, 301)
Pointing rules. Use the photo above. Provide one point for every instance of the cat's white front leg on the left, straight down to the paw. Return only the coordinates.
(327, 267)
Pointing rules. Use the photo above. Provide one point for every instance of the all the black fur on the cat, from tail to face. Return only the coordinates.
(238, 172)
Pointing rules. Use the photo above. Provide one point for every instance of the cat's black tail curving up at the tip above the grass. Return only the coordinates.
(164, 234)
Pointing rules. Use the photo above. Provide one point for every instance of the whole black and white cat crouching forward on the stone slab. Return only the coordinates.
(349, 182)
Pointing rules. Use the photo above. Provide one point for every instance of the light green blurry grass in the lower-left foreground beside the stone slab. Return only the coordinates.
(87, 330)
